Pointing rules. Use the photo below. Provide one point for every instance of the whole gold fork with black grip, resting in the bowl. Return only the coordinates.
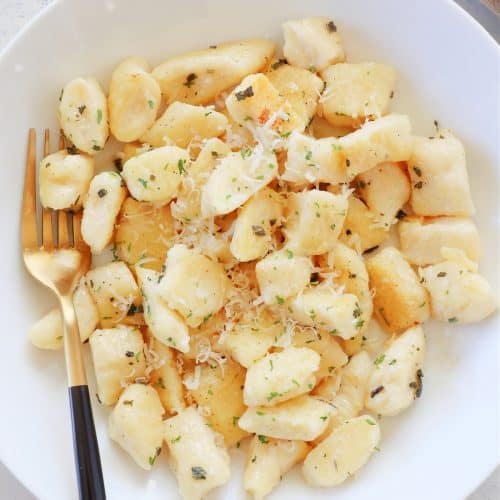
(58, 259)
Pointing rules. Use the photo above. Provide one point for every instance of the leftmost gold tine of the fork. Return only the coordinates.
(29, 234)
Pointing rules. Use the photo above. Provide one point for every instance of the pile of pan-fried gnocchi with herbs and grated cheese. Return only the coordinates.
(269, 242)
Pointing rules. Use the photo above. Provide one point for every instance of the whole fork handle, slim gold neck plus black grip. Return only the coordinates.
(87, 459)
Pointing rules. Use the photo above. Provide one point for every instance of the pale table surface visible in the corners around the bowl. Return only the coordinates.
(15, 13)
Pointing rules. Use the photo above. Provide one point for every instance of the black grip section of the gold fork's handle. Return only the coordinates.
(88, 462)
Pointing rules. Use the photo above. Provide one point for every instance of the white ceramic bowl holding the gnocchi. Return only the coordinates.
(441, 448)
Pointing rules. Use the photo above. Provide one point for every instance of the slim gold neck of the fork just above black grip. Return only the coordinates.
(72, 344)
